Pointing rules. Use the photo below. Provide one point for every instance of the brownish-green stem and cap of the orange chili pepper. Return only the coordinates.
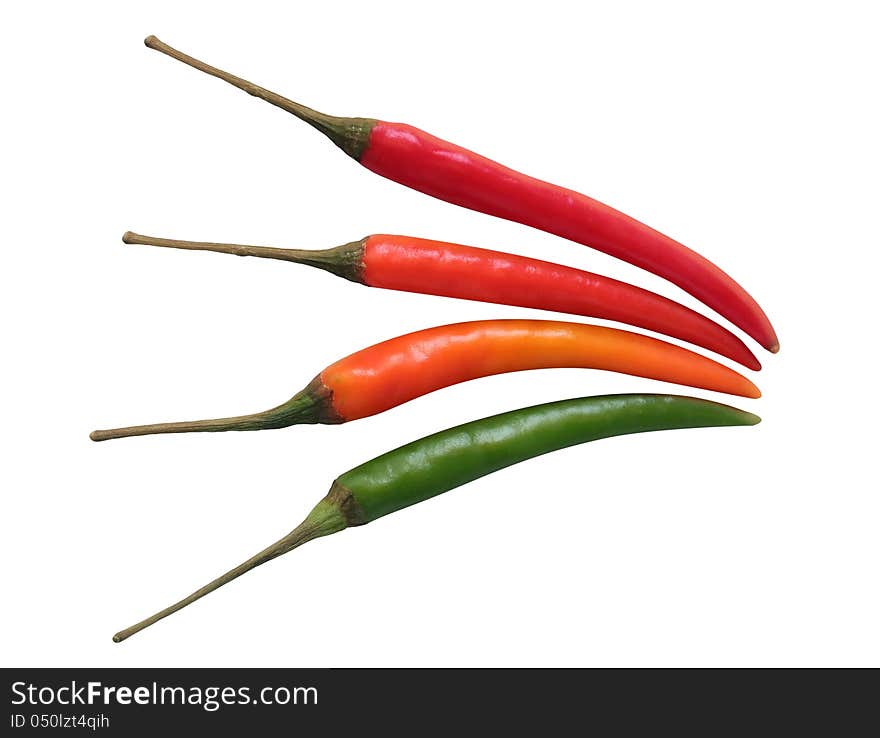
(309, 406)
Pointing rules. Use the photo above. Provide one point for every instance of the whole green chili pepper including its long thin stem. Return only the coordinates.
(446, 460)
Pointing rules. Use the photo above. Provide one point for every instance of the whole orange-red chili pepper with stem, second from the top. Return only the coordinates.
(452, 270)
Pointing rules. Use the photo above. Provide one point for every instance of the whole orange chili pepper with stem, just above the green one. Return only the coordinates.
(390, 373)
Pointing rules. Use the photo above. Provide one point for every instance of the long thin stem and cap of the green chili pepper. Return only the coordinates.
(326, 518)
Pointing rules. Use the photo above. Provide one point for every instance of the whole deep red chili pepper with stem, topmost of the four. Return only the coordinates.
(428, 164)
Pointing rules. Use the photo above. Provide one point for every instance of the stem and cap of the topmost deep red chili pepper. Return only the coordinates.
(349, 134)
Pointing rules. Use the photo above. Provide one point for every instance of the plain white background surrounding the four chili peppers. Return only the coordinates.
(748, 133)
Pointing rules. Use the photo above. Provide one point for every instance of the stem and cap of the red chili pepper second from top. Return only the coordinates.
(344, 261)
